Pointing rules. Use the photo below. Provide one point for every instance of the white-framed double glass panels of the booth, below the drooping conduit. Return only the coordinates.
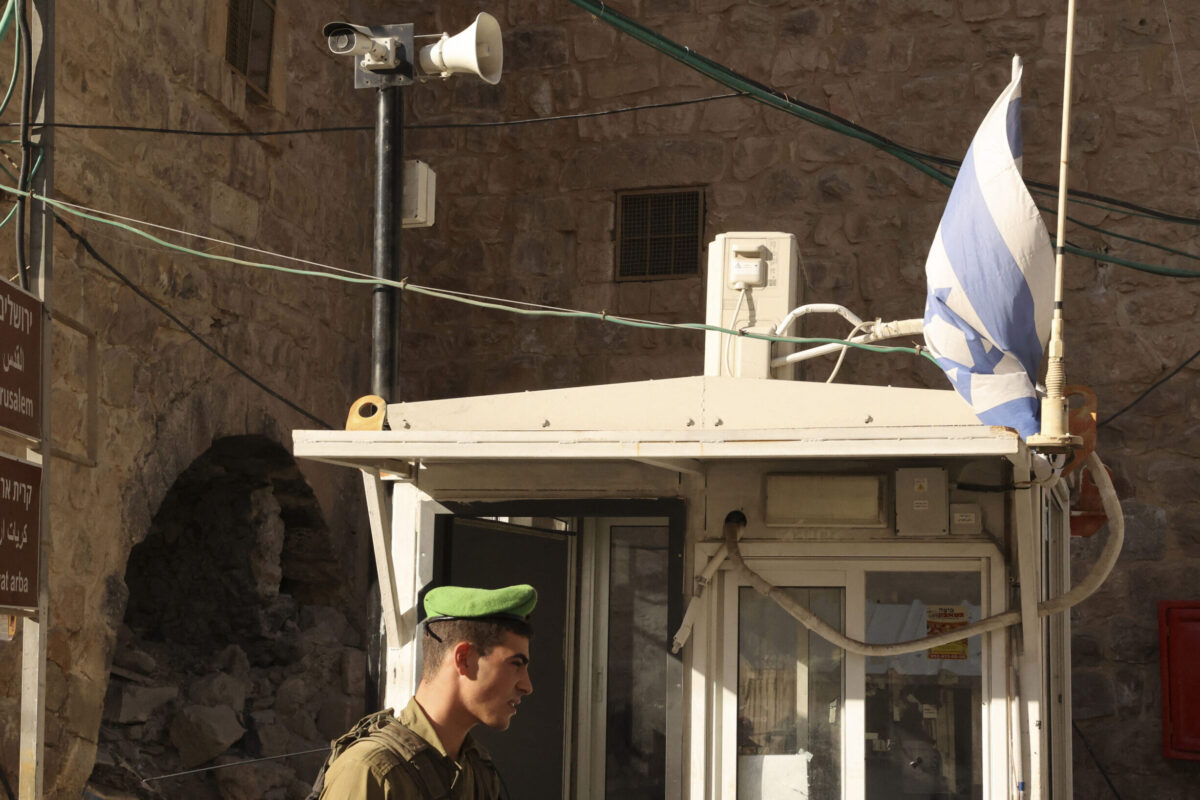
(800, 718)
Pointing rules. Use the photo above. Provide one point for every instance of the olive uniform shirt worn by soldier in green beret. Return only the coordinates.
(368, 771)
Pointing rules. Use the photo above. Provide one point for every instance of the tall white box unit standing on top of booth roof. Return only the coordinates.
(767, 268)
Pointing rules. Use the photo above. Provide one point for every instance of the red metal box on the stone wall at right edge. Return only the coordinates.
(1179, 655)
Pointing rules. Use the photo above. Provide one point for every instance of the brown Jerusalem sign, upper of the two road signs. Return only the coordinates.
(21, 362)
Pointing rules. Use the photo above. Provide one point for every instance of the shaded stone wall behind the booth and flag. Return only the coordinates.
(527, 213)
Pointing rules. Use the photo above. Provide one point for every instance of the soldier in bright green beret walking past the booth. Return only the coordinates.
(476, 671)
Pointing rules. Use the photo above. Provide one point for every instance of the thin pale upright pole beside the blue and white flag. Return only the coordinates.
(1055, 436)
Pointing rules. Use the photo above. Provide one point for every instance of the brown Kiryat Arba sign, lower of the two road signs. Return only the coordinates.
(21, 506)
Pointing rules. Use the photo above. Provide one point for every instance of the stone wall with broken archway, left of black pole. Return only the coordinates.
(163, 400)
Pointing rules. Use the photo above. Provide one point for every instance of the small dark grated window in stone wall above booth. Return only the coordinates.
(659, 233)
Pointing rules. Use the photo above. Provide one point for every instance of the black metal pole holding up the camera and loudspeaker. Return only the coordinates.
(386, 262)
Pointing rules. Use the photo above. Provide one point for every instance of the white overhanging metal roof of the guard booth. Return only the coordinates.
(681, 422)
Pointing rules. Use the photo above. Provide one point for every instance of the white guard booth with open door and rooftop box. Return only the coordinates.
(729, 567)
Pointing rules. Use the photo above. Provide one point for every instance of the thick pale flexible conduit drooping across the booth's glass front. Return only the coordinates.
(1083, 591)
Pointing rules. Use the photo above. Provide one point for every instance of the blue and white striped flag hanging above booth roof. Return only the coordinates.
(991, 276)
